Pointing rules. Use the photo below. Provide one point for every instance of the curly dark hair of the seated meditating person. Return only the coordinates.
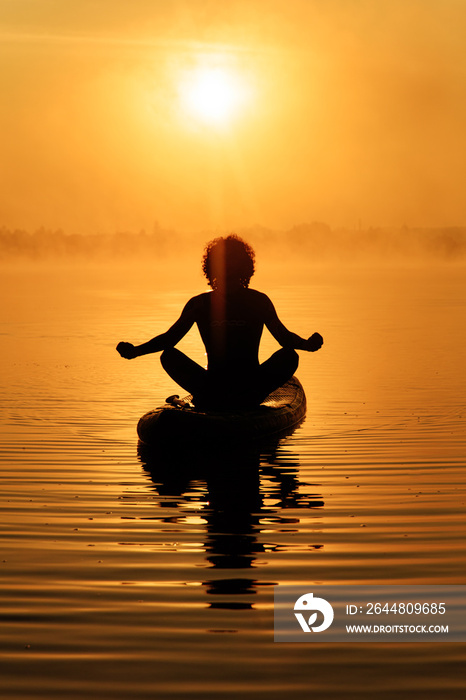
(228, 258)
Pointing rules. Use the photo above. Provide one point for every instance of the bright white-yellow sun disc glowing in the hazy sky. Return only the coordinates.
(214, 95)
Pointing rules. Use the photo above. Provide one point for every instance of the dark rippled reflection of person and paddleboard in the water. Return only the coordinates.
(243, 485)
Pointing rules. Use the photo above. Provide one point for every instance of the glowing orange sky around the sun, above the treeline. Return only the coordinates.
(354, 111)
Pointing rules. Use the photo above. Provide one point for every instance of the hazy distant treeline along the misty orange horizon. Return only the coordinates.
(316, 241)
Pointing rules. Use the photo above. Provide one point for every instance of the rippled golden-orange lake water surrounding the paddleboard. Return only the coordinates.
(121, 579)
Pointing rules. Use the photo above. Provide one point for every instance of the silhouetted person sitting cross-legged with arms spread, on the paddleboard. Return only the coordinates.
(230, 320)
